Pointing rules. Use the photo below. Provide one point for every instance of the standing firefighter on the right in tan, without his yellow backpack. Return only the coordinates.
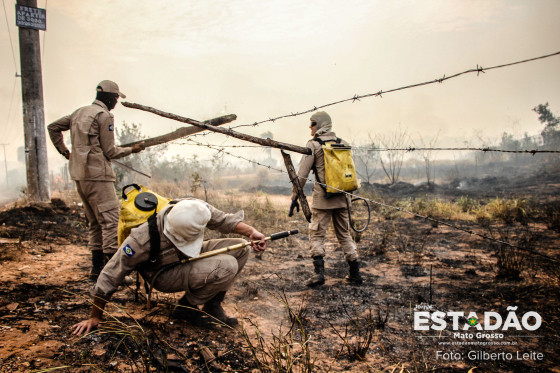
(325, 210)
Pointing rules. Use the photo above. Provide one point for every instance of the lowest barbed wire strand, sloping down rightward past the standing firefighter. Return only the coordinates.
(382, 204)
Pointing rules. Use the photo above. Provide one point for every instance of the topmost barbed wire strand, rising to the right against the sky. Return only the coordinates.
(380, 93)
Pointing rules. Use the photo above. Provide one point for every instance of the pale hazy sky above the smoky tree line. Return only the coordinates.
(262, 59)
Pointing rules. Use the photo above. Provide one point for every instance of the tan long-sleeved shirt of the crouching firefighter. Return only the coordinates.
(134, 253)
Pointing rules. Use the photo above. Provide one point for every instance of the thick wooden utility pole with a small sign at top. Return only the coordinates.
(30, 20)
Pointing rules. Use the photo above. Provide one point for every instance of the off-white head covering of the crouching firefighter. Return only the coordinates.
(184, 226)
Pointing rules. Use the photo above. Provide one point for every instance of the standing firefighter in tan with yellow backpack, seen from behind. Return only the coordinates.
(328, 204)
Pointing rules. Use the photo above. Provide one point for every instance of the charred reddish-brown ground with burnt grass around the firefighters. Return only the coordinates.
(407, 263)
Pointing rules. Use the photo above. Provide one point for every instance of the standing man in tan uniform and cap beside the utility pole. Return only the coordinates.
(93, 146)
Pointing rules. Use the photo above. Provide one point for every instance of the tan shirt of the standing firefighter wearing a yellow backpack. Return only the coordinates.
(319, 200)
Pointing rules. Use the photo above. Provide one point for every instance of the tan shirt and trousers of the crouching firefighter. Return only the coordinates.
(201, 279)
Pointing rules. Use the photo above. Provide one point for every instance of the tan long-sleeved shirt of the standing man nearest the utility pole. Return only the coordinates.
(92, 130)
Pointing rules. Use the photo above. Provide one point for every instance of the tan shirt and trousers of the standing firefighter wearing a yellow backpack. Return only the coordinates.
(324, 210)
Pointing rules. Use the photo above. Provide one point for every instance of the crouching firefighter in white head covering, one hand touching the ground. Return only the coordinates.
(180, 234)
